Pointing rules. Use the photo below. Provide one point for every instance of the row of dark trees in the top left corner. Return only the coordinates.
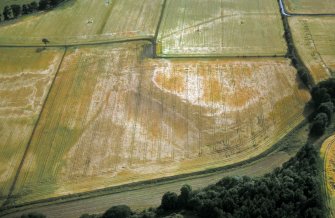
(14, 11)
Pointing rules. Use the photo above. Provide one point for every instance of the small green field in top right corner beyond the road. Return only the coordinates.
(310, 6)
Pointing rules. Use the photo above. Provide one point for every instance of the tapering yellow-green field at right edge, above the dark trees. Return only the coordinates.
(315, 41)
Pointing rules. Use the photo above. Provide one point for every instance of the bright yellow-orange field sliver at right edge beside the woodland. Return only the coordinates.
(328, 154)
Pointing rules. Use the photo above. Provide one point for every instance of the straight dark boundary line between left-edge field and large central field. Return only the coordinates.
(10, 194)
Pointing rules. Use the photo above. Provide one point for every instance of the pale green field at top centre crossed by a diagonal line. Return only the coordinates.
(223, 27)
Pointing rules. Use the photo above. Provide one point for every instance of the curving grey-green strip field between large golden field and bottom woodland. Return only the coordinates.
(144, 196)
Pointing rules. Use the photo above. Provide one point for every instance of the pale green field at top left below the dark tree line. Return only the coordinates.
(94, 21)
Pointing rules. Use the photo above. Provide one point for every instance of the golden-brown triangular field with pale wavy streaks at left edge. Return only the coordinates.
(23, 89)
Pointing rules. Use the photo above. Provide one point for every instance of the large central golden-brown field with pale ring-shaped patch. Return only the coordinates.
(115, 117)
